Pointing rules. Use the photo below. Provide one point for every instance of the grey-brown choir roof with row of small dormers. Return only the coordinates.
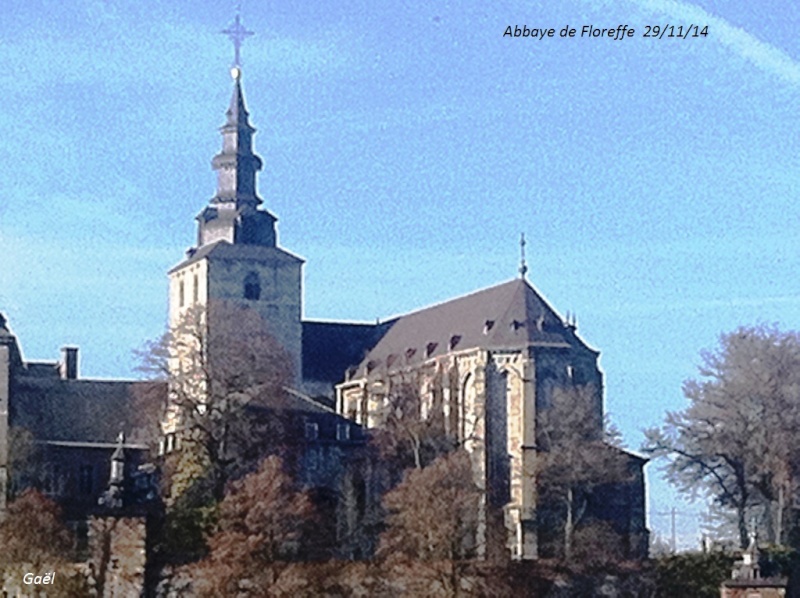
(509, 315)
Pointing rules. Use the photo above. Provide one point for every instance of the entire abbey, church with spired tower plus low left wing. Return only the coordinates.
(485, 365)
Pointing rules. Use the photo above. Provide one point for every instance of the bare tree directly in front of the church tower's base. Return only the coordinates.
(224, 370)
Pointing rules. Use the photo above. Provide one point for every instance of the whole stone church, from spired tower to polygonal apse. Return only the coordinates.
(489, 361)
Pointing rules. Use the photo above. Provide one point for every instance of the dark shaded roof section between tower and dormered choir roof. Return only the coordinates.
(330, 348)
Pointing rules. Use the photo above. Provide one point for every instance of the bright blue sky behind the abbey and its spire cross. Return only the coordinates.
(406, 145)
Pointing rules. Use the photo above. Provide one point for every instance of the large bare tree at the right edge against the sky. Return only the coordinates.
(737, 439)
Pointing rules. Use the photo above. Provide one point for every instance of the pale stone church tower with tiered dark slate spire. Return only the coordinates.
(237, 259)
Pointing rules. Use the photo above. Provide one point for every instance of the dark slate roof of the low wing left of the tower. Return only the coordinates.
(72, 410)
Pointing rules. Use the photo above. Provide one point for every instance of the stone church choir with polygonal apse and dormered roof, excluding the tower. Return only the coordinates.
(487, 364)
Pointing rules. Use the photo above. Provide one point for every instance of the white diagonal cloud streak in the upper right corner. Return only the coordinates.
(762, 55)
